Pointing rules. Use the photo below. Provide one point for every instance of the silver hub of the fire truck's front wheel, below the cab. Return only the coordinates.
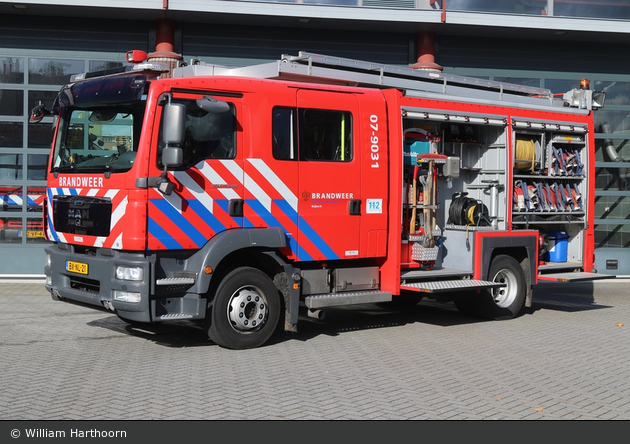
(247, 309)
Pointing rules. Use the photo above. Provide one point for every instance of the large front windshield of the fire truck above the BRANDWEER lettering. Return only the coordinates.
(98, 139)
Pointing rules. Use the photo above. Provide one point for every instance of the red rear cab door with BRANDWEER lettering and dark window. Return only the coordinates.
(330, 205)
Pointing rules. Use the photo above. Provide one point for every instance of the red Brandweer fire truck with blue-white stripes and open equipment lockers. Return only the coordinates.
(243, 197)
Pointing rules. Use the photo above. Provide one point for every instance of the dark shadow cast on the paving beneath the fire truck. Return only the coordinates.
(569, 297)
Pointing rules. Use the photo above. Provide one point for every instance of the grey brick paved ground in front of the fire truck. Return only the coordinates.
(566, 358)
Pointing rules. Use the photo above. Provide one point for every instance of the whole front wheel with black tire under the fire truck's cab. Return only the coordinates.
(245, 311)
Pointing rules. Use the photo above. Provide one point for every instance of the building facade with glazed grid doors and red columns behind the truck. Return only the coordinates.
(547, 43)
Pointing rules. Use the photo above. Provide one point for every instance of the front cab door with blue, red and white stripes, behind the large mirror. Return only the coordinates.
(208, 194)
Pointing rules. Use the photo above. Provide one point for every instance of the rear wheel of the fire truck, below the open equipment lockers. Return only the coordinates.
(505, 302)
